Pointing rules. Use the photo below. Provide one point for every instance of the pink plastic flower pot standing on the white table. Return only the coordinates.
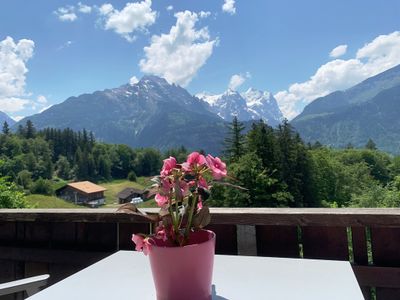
(184, 273)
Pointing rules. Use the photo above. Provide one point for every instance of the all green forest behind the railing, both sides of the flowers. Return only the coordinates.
(274, 167)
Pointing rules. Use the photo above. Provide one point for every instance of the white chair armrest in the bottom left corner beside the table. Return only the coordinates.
(31, 285)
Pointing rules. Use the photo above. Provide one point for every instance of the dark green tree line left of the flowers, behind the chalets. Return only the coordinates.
(30, 158)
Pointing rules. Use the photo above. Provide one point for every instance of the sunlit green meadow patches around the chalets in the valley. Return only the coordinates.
(113, 188)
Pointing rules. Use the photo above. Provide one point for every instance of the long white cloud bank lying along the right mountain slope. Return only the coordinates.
(373, 58)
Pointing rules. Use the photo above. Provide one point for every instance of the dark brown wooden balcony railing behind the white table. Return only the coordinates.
(63, 241)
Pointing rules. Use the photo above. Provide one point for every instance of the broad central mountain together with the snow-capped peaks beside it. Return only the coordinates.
(154, 113)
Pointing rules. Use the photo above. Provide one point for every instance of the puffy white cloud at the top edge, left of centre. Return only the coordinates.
(133, 17)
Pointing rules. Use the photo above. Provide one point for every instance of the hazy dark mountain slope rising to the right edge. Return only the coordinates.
(367, 110)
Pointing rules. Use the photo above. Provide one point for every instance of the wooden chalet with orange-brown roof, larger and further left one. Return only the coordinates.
(84, 192)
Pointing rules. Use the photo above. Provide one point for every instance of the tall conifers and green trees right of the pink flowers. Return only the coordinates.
(277, 169)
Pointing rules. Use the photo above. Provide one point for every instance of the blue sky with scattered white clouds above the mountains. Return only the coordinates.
(57, 49)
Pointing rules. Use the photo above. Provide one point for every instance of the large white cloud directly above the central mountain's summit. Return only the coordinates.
(178, 55)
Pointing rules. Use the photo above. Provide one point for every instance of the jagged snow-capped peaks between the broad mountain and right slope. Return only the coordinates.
(250, 105)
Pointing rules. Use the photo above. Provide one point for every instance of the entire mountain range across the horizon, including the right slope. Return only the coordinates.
(154, 113)
